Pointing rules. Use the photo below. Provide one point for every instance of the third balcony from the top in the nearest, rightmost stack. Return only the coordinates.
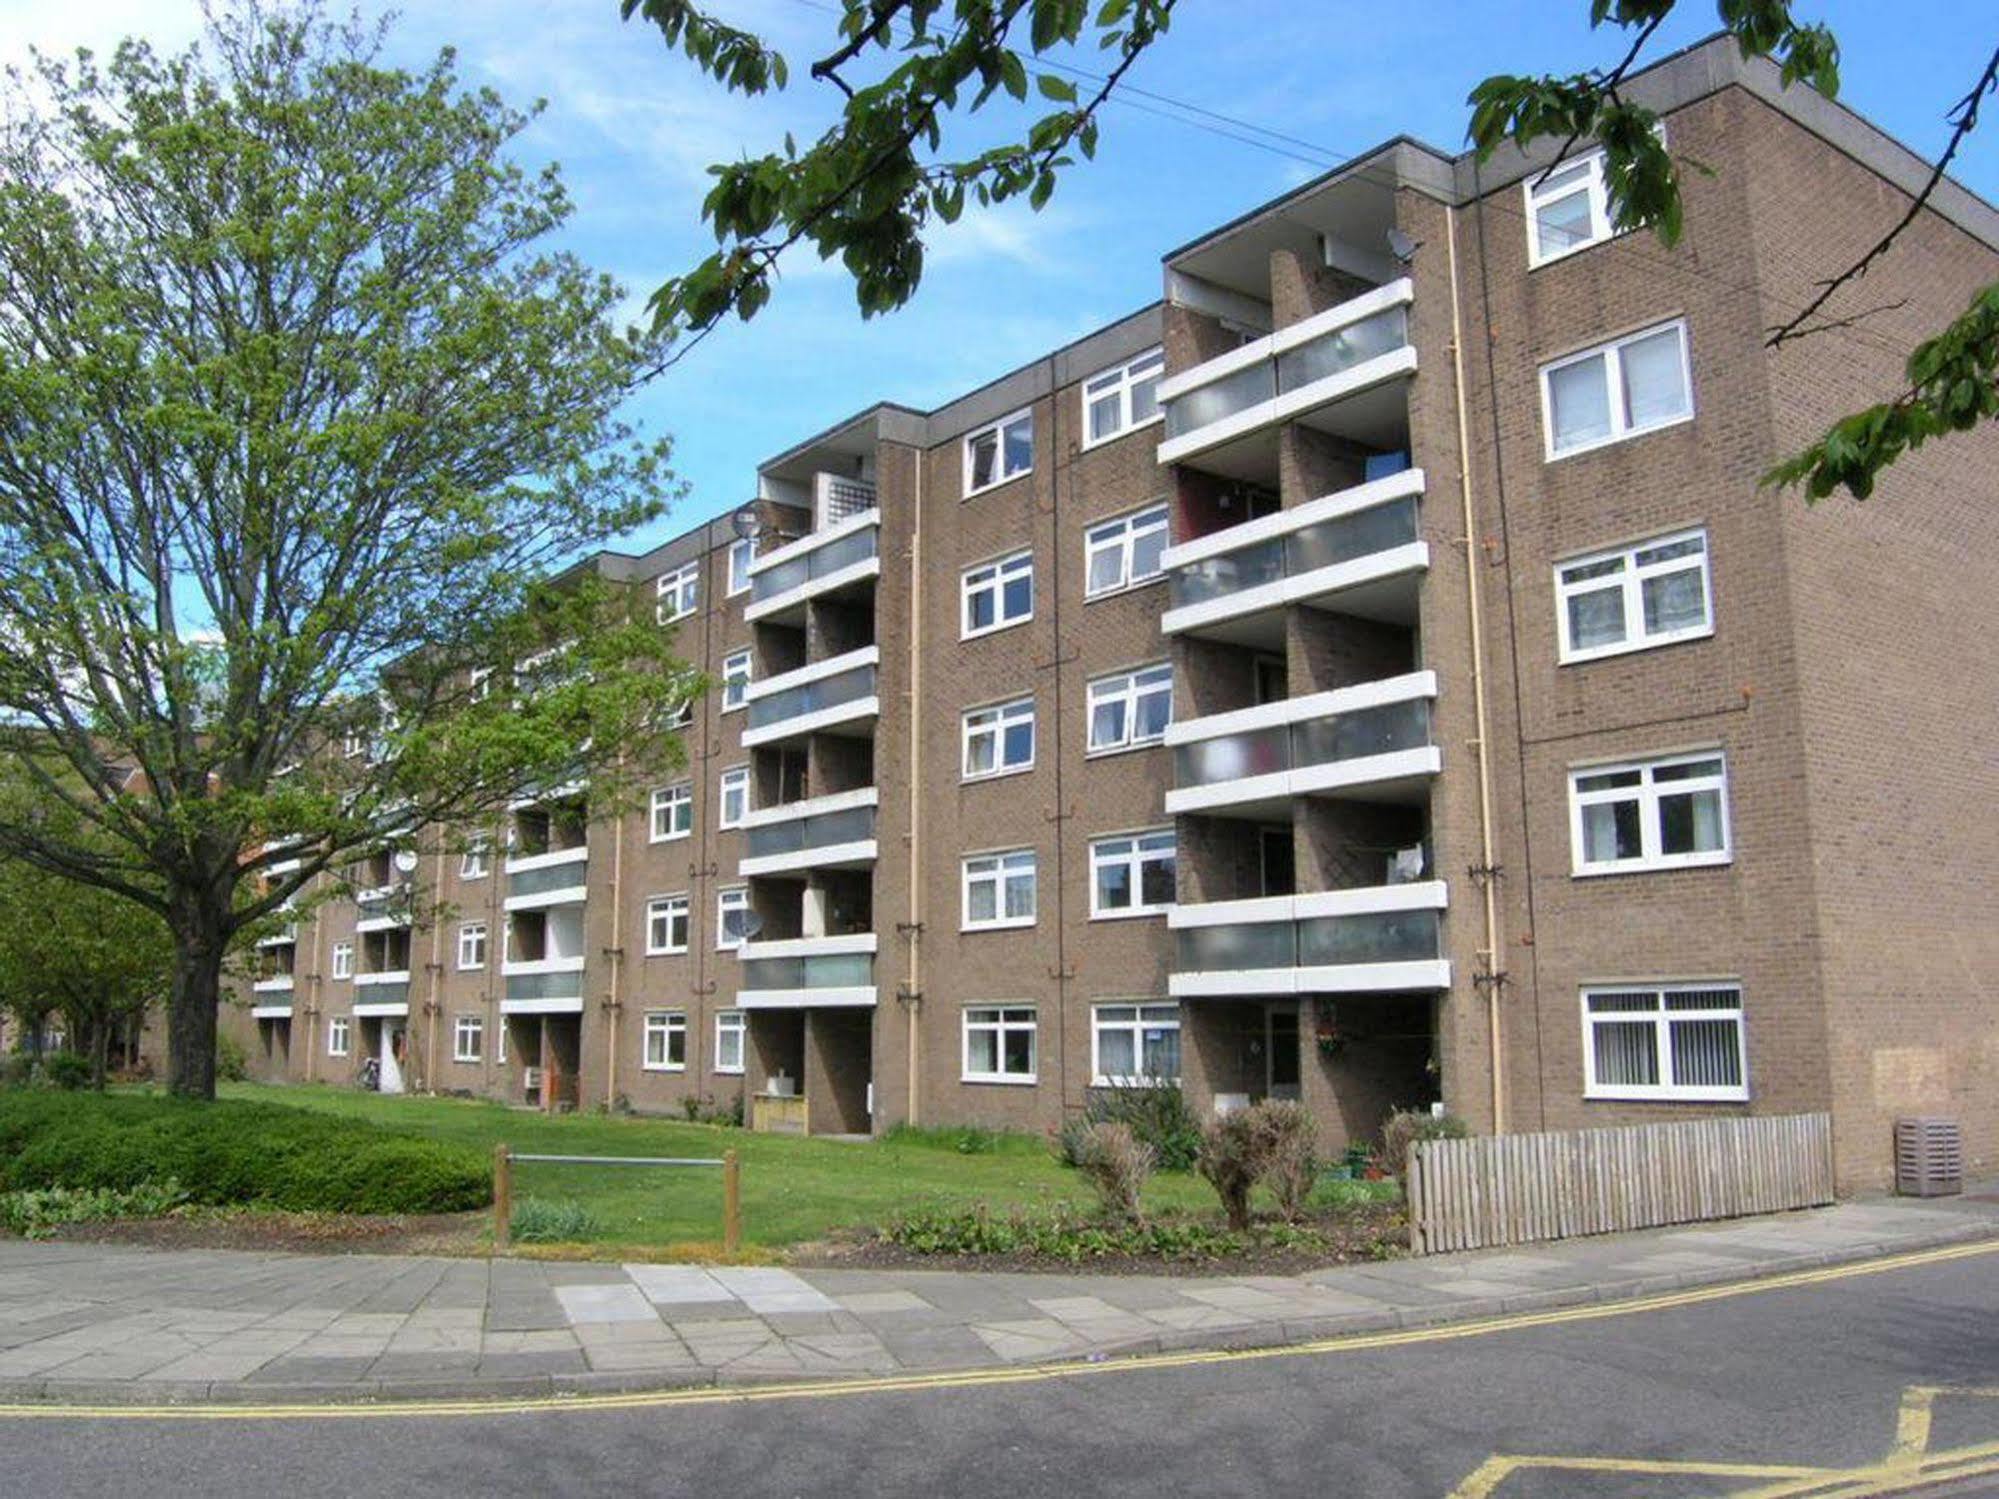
(1364, 745)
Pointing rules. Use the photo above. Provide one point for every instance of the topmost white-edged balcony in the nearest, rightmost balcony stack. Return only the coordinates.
(1340, 371)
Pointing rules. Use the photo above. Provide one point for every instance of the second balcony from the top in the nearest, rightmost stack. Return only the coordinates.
(1352, 553)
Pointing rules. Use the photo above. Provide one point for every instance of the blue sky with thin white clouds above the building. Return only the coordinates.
(635, 131)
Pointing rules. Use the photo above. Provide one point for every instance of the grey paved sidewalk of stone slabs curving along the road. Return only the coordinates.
(113, 1324)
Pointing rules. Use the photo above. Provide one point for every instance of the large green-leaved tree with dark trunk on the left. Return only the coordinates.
(297, 413)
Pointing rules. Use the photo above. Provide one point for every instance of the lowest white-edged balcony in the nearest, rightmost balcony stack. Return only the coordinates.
(1376, 940)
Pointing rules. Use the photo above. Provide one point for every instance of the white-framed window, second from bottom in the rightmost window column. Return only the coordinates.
(1656, 814)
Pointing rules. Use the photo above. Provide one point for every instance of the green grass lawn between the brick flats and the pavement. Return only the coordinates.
(795, 1190)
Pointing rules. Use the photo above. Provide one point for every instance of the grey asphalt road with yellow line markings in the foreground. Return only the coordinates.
(1758, 1392)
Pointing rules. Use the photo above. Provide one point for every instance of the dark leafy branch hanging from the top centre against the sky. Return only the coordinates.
(873, 185)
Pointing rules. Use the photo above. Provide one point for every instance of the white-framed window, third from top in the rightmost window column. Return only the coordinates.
(1634, 599)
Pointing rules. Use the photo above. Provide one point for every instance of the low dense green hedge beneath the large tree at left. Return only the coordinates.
(233, 1154)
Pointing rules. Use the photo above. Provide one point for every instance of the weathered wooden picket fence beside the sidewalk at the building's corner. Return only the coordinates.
(1498, 1190)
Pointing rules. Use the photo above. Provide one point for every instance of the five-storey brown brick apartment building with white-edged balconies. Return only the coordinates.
(1370, 675)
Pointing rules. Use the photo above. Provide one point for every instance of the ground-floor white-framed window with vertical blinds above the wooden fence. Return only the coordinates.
(1666, 1042)
